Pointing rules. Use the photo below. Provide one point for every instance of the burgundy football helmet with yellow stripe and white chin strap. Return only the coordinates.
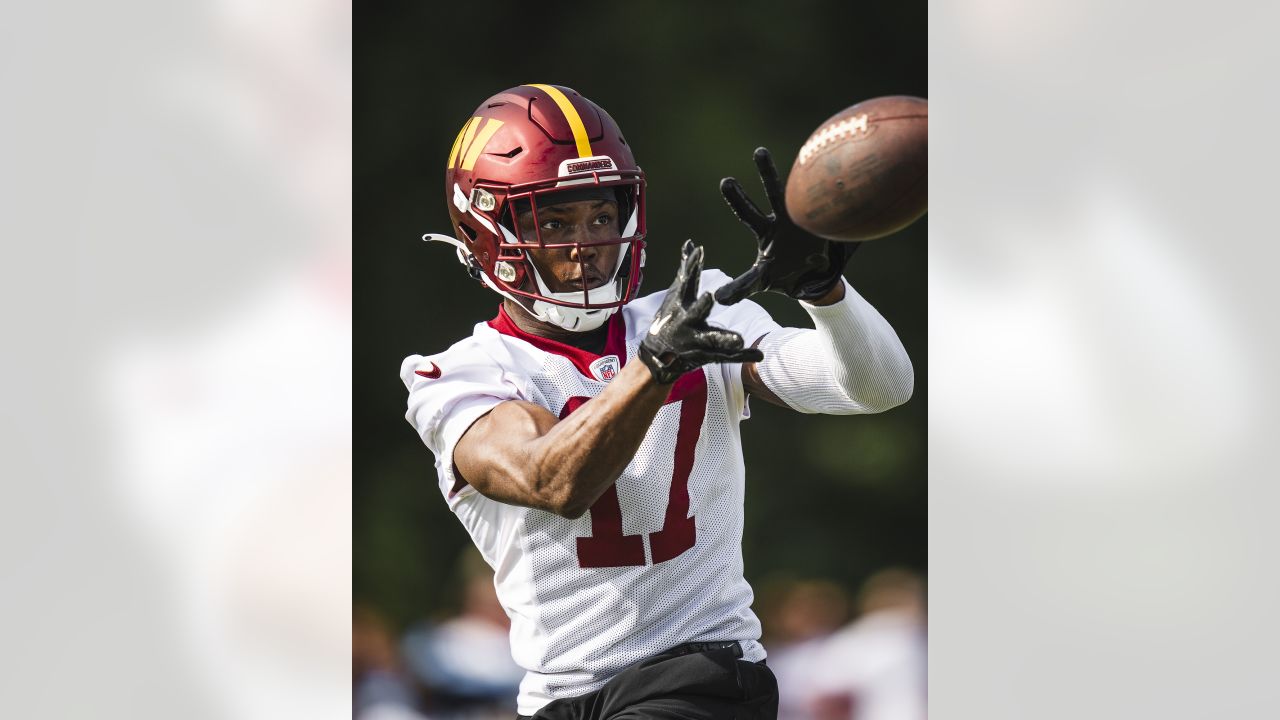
(532, 147)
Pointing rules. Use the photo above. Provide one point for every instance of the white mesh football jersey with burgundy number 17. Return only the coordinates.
(657, 562)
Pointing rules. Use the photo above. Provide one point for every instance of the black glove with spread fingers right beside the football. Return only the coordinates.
(790, 261)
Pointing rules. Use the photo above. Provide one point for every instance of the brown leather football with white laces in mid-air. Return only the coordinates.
(865, 172)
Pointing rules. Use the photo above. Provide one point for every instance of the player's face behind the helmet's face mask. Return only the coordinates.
(583, 221)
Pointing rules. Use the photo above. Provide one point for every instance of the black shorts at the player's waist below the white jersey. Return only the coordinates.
(696, 682)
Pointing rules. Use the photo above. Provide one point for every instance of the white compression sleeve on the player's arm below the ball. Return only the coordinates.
(852, 363)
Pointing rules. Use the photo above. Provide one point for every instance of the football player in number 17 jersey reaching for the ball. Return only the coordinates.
(588, 439)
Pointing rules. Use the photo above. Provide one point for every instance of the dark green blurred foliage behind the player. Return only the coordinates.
(697, 88)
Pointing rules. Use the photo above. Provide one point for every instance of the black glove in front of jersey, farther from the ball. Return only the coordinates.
(680, 340)
